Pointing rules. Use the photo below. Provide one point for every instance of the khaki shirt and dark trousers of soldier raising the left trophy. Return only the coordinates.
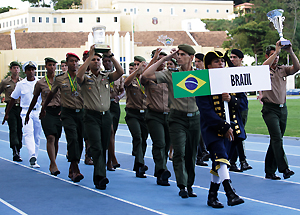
(97, 119)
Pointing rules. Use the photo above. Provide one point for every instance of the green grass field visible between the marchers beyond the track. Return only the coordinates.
(256, 124)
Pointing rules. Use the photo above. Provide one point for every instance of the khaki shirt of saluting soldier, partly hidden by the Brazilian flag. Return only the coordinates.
(187, 105)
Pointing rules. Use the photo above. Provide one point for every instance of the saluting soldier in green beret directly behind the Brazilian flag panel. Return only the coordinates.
(184, 124)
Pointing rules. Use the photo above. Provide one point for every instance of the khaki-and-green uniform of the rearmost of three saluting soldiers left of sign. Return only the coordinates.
(135, 119)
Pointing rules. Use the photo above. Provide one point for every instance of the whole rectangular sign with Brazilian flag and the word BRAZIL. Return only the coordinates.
(223, 80)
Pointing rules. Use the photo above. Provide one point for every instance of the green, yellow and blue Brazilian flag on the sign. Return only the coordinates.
(191, 83)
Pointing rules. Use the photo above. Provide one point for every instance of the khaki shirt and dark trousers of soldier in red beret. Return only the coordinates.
(71, 114)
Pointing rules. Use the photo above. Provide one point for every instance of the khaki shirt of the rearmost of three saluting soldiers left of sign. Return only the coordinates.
(135, 98)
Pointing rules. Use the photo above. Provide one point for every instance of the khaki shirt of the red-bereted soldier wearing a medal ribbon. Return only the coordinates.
(68, 98)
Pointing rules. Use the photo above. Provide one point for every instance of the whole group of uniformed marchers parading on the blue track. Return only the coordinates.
(188, 131)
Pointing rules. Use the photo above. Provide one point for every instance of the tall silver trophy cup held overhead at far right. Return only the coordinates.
(275, 16)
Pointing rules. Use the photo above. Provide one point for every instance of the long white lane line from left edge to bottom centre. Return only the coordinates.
(88, 188)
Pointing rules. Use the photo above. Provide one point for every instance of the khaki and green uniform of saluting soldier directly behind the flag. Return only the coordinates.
(184, 125)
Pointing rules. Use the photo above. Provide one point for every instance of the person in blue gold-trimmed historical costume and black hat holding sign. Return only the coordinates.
(217, 134)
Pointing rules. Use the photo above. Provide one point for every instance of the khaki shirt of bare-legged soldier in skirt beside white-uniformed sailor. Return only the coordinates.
(41, 87)
